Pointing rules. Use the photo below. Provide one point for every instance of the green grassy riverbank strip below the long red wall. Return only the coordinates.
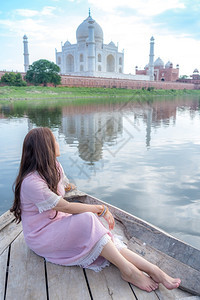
(9, 93)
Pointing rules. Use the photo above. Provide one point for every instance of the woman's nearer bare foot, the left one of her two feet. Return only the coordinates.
(141, 280)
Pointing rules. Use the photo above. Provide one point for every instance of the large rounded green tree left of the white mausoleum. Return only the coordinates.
(42, 72)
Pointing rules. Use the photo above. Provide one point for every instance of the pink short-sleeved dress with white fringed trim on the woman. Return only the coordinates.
(67, 239)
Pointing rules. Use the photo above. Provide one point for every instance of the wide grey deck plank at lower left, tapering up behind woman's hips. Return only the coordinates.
(26, 277)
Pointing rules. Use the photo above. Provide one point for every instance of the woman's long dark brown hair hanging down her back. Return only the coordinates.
(39, 155)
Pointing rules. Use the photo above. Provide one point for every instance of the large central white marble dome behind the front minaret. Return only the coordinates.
(82, 31)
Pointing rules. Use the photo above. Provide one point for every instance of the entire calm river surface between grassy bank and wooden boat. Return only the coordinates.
(141, 156)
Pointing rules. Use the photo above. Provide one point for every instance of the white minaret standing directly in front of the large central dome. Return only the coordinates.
(91, 45)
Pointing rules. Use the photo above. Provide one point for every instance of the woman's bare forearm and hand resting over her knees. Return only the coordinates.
(77, 208)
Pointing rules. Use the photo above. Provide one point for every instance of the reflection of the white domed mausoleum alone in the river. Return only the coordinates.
(91, 131)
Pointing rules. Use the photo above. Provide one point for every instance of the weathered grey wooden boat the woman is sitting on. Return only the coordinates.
(24, 275)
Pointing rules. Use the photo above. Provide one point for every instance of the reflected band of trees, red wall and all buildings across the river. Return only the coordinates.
(94, 125)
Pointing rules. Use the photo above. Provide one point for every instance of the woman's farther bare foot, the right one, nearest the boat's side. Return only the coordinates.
(161, 277)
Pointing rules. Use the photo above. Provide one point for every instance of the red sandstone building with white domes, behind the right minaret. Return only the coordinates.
(161, 72)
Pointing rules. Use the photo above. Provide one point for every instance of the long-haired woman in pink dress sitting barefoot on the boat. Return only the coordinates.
(70, 233)
